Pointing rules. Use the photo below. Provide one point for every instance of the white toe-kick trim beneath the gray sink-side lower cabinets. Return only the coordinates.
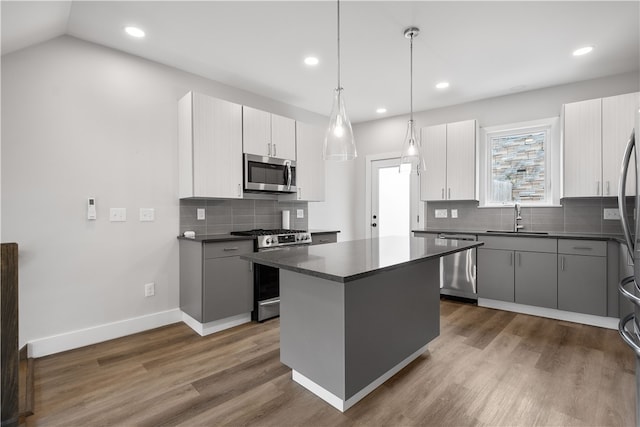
(586, 319)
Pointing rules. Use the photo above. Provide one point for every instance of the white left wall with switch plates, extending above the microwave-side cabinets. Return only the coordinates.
(81, 120)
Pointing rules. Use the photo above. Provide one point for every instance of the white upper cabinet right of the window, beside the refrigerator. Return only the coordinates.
(595, 136)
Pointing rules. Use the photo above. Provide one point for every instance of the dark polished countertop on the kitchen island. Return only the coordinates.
(347, 261)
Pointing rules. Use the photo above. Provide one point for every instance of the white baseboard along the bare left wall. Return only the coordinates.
(95, 334)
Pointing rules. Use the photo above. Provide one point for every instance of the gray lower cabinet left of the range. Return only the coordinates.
(214, 282)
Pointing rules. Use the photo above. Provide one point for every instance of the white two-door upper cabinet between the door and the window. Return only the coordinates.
(450, 161)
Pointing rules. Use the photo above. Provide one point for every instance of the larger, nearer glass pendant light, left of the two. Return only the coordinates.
(338, 142)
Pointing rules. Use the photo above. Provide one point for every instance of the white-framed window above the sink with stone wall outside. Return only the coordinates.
(522, 162)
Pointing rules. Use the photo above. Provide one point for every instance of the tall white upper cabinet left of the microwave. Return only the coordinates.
(209, 147)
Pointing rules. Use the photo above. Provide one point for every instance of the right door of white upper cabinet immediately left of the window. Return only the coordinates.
(461, 160)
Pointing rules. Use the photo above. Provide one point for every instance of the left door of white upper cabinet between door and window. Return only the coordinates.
(433, 181)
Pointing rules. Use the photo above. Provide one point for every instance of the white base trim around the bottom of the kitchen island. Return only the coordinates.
(343, 405)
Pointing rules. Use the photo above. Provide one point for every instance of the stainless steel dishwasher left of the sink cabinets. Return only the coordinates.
(458, 271)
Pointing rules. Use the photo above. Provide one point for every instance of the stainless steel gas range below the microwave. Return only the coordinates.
(266, 280)
